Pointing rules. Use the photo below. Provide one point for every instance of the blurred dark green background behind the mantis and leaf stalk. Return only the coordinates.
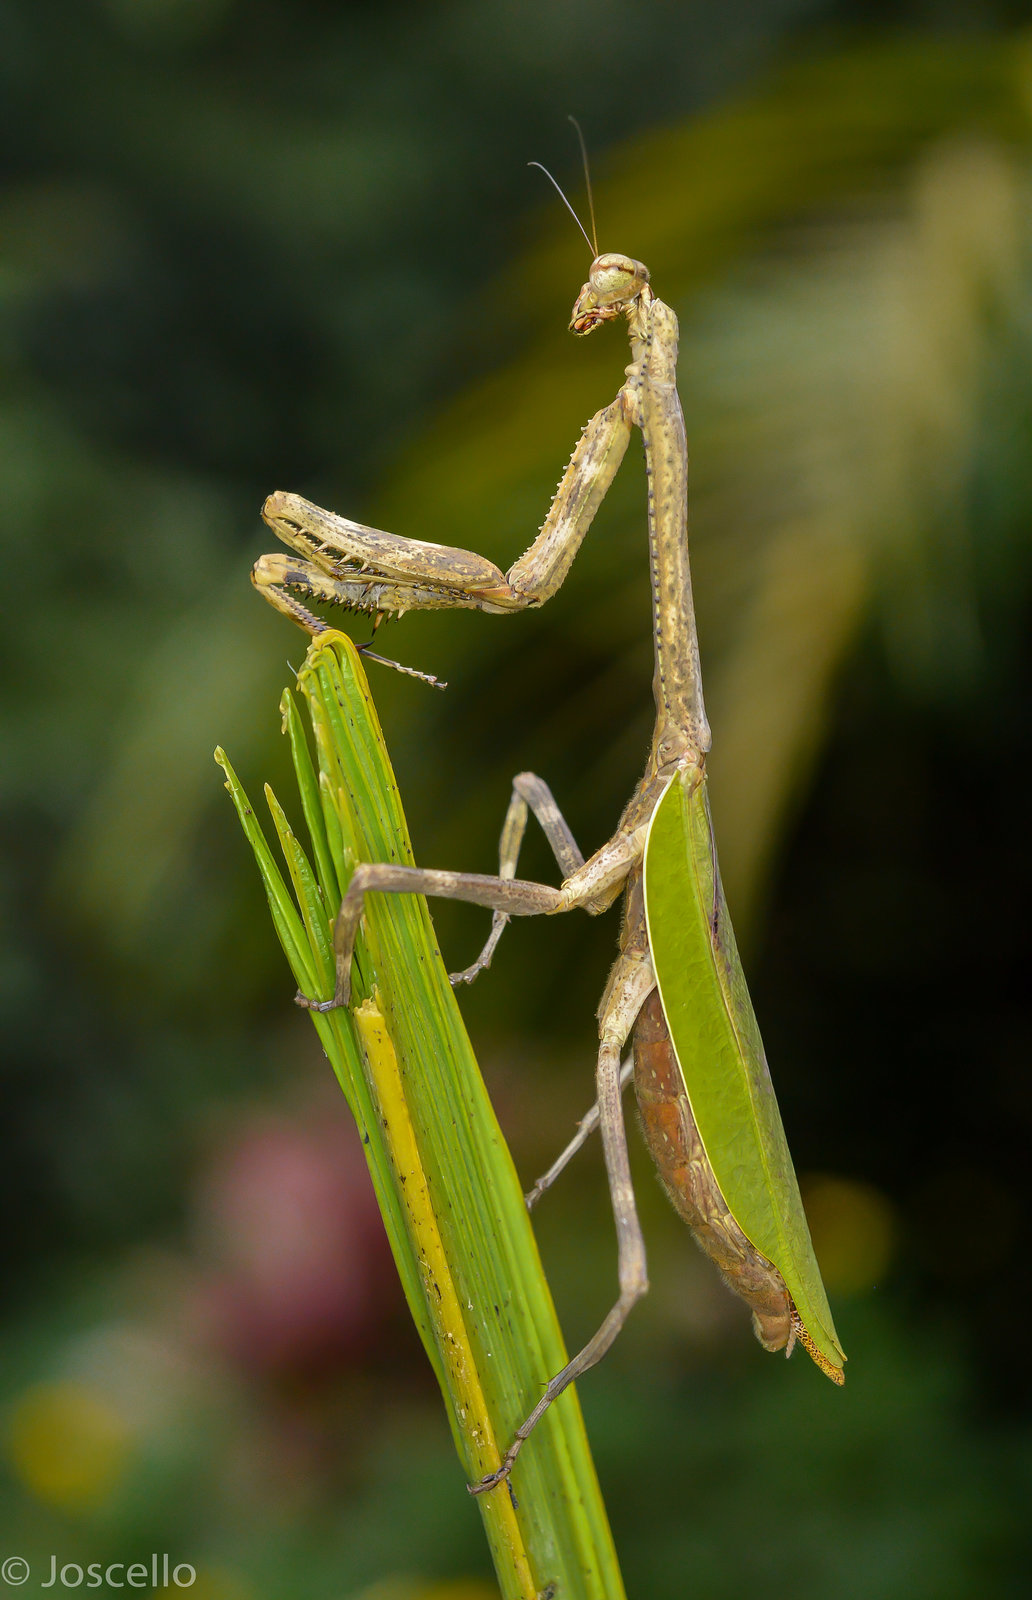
(252, 246)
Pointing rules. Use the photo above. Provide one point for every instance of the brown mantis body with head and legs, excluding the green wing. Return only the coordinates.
(369, 570)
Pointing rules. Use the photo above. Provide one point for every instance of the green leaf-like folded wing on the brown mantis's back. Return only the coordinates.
(721, 1055)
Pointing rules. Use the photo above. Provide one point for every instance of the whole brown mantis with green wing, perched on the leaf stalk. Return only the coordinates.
(708, 1105)
